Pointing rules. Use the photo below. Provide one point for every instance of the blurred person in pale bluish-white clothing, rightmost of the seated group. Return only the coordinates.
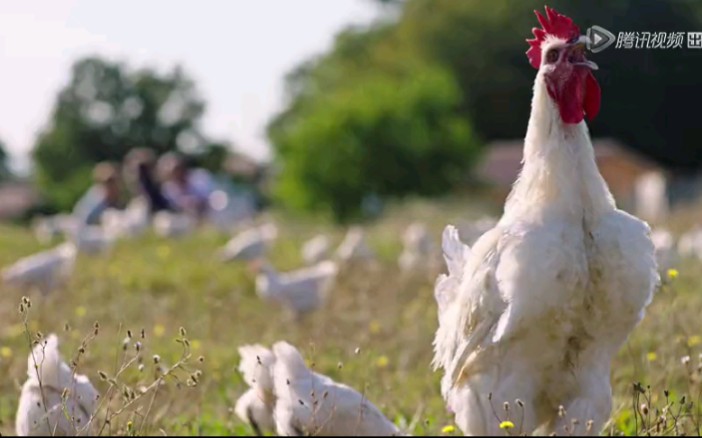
(187, 189)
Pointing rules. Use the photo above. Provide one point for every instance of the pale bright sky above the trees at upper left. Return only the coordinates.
(237, 51)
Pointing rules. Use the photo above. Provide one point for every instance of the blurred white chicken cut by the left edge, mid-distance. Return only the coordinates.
(44, 271)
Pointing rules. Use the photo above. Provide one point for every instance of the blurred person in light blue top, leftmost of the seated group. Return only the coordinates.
(105, 193)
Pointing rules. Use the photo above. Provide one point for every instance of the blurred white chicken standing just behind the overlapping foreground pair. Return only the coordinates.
(299, 292)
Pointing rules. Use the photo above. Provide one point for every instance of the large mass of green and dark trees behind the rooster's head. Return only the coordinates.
(467, 59)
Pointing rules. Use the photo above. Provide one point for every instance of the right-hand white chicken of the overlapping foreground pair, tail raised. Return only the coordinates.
(310, 404)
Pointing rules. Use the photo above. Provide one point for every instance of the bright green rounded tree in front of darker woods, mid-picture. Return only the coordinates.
(351, 131)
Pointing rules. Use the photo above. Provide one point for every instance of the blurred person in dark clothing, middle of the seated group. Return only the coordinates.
(139, 169)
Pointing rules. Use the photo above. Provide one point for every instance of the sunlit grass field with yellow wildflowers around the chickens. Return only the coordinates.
(158, 286)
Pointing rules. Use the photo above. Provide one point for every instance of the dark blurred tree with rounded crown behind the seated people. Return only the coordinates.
(102, 113)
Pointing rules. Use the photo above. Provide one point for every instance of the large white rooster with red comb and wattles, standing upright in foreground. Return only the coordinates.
(540, 305)
